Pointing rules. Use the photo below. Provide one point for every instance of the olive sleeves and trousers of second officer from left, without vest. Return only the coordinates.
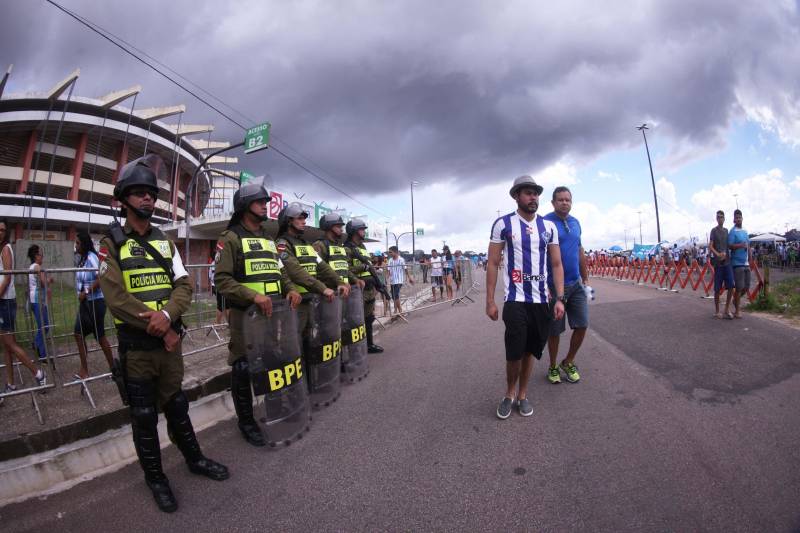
(237, 294)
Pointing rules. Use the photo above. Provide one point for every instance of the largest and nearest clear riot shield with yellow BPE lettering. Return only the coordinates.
(276, 372)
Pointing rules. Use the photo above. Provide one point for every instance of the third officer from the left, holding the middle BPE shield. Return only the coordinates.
(313, 275)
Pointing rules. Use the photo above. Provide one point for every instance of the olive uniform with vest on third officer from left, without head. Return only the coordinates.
(308, 271)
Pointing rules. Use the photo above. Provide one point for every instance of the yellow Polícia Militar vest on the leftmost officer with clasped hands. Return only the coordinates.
(142, 276)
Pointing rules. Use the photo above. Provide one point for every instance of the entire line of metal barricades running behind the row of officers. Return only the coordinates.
(58, 350)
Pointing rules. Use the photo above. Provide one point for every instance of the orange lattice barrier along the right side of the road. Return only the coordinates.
(666, 275)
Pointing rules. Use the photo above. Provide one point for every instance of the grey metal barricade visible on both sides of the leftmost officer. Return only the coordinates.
(55, 322)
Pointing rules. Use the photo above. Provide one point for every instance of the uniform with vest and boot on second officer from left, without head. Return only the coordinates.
(247, 265)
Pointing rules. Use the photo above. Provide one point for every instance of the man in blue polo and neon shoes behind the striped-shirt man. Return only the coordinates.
(576, 277)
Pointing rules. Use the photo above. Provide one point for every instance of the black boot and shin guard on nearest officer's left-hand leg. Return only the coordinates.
(144, 423)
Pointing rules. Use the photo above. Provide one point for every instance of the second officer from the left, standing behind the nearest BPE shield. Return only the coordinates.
(243, 246)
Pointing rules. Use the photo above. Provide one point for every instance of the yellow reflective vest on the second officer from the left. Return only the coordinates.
(259, 269)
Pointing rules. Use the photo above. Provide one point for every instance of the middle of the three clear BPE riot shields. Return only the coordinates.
(323, 350)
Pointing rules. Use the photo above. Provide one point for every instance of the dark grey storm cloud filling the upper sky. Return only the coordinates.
(378, 94)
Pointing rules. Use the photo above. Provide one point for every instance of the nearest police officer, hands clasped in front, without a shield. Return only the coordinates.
(147, 290)
